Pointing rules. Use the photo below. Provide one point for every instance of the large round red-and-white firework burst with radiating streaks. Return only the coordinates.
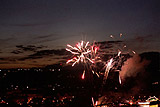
(83, 53)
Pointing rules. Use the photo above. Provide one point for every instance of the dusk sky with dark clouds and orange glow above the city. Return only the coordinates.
(34, 33)
